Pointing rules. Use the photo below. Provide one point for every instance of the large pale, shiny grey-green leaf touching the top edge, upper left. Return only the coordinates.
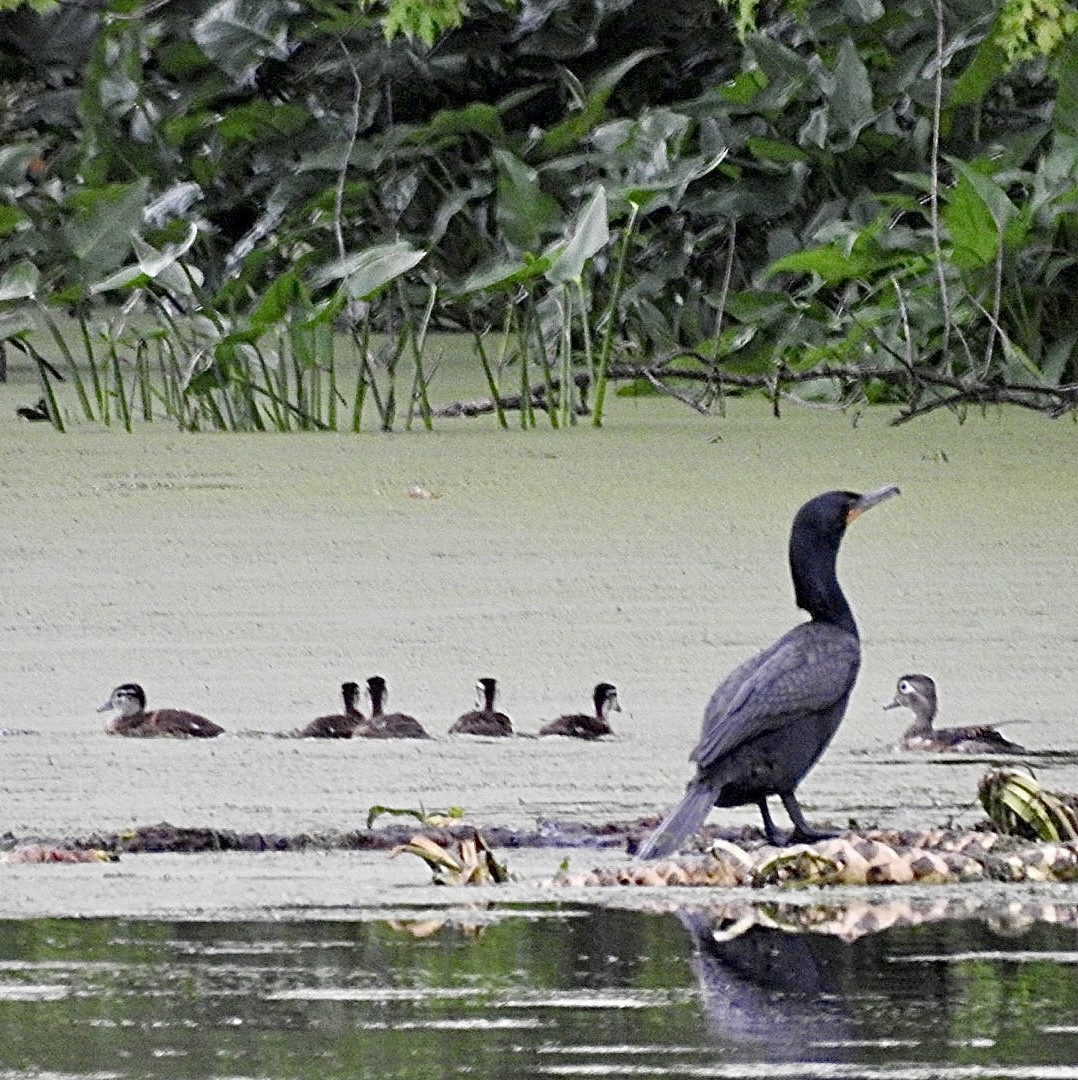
(239, 35)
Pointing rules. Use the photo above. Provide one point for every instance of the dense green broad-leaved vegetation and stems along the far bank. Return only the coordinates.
(851, 202)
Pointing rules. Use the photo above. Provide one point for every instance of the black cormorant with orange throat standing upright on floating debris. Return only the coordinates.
(772, 719)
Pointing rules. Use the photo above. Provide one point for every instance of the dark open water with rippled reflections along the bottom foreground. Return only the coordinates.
(558, 992)
